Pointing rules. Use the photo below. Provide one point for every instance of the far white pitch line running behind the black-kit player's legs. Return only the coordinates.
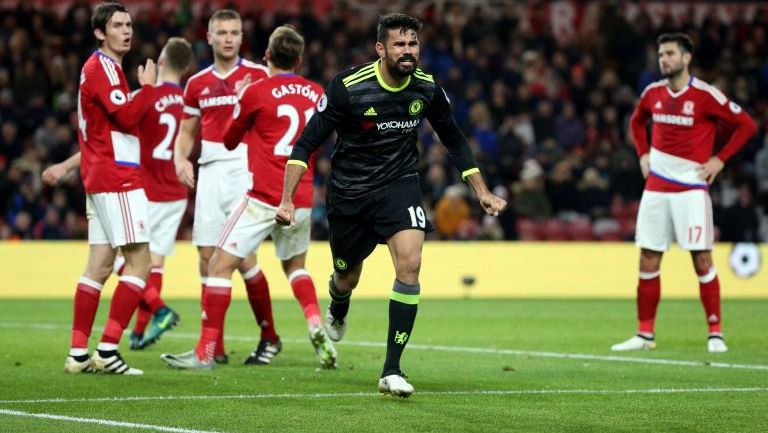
(483, 350)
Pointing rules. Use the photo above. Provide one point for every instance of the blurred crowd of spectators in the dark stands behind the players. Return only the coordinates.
(547, 117)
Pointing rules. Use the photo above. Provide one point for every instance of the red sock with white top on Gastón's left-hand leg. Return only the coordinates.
(217, 296)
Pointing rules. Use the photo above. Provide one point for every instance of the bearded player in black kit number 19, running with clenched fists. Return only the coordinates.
(373, 194)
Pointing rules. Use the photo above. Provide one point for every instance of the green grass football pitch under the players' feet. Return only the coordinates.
(477, 365)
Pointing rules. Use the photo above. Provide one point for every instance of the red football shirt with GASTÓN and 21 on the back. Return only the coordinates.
(270, 118)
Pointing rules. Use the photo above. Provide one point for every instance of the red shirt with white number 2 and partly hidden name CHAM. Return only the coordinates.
(157, 133)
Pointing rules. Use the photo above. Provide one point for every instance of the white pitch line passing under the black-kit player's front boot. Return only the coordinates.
(372, 394)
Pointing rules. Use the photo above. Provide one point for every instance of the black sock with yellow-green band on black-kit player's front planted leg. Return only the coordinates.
(403, 304)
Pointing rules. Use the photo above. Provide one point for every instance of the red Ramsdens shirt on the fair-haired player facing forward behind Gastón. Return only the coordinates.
(211, 97)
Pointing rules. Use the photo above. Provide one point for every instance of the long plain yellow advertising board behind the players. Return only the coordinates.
(449, 270)
